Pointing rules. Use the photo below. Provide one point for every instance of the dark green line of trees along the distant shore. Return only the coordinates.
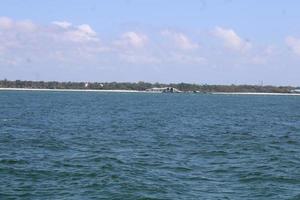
(142, 86)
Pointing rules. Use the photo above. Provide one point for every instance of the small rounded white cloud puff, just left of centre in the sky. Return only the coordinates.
(132, 39)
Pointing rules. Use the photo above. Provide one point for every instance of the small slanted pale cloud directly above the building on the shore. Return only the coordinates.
(180, 40)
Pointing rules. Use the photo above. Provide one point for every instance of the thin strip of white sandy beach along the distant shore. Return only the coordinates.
(136, 91)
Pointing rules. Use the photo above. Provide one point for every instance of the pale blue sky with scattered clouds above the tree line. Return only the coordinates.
(193, 41)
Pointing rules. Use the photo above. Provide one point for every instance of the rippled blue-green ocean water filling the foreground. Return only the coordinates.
(86, 145)
